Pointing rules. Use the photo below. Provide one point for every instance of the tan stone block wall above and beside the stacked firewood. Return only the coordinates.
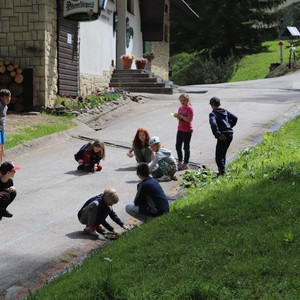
(28, 38)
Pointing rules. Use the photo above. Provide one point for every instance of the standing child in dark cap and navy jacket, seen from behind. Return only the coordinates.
(221, 122)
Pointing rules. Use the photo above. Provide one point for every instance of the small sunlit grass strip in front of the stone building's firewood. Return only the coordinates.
(31, 133)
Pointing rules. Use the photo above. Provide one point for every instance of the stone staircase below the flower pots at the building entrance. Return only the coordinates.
(140, 81)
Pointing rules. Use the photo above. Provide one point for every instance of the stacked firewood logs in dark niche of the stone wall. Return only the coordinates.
(11, 78)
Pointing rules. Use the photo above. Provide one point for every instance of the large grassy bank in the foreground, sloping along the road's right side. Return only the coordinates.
(236, 237)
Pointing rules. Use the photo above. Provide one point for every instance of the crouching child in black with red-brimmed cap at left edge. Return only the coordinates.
(7, 190)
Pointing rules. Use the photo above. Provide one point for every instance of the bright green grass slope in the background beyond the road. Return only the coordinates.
(256, 66)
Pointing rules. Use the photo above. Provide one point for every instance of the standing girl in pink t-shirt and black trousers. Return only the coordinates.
(185, 116)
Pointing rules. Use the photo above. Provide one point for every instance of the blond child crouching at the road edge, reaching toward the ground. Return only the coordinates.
(94, 212)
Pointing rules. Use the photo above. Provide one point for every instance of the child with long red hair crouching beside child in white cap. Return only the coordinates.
(140, 146)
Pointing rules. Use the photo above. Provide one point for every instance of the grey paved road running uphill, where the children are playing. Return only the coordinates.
(44, 230)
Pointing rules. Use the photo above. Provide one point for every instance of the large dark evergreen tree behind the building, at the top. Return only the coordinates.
(224, 26)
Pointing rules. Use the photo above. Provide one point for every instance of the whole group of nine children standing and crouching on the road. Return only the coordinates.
(155, 164)
